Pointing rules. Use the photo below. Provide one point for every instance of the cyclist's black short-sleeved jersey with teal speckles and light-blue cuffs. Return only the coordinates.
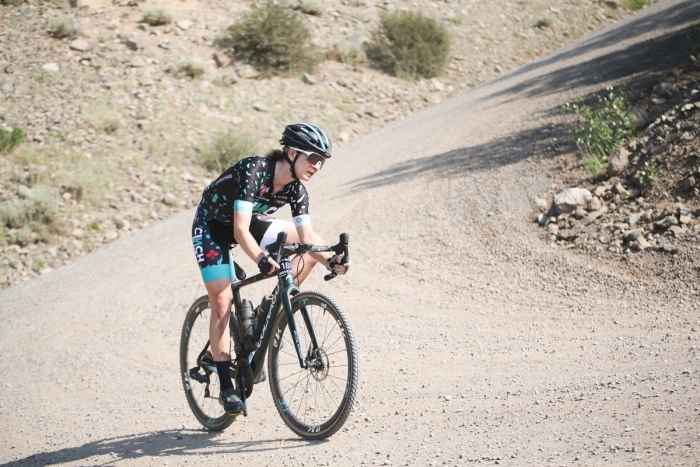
(247, 186)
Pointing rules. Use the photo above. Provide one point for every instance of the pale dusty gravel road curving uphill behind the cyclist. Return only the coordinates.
(479, 342)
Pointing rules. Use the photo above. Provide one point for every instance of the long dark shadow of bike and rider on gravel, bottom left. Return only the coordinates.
(175, 445)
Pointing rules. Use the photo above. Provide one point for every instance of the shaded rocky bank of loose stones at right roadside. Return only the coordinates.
(643, 212)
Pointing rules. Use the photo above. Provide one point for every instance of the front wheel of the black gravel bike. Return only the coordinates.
(316, 401)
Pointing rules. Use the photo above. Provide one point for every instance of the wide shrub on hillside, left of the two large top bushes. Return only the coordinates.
(271, 38)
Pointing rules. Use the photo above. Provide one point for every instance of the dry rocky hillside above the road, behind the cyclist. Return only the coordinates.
(115, 131)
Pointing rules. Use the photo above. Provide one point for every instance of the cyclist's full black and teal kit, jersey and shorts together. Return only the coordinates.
(246, 186)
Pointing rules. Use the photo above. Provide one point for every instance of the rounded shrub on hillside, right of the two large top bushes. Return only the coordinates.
(410, 45)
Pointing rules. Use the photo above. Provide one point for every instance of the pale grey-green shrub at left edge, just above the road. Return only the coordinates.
(35, 218)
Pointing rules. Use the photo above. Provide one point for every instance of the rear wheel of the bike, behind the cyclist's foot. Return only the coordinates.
(200, 381)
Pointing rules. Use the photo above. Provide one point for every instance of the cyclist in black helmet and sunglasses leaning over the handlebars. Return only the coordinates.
(234, 210)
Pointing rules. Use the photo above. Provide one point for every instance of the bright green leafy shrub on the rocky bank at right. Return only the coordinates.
(601, 131)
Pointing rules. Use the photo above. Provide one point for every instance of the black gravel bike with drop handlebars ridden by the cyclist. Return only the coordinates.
(313, 367)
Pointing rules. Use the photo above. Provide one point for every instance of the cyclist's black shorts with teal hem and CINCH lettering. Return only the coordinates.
(212, 242)
